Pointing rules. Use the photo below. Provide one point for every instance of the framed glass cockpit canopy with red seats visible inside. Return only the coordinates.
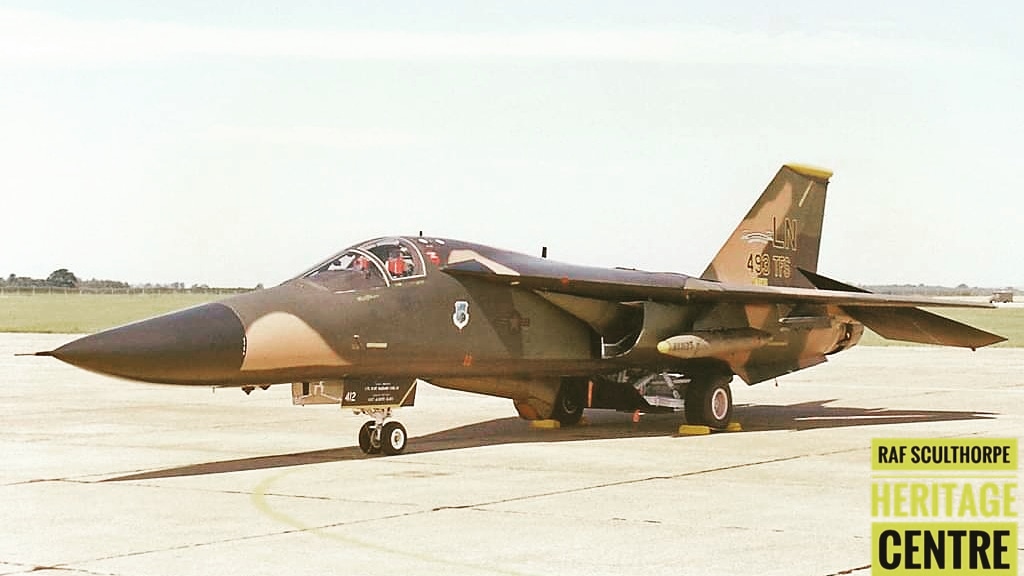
(372, 265)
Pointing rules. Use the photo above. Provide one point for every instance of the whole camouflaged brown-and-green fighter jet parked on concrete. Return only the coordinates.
(364, 327)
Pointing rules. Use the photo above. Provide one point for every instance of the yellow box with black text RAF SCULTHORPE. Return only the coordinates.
(925, 455)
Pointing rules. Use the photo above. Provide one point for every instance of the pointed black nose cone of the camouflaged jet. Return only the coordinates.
(203, 345)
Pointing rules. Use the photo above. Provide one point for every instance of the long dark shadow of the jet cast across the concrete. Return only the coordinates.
(601, 426)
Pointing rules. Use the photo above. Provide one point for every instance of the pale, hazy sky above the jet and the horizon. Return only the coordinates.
(236, 144)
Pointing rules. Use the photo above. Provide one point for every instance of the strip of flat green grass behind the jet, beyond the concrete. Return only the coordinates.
(90, 313)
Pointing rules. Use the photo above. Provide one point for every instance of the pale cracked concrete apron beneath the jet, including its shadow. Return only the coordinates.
(106, 477)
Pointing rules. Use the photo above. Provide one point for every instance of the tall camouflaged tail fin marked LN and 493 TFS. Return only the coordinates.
(781, 234)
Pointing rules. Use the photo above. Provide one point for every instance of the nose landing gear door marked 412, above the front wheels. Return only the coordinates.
(358, 395)
